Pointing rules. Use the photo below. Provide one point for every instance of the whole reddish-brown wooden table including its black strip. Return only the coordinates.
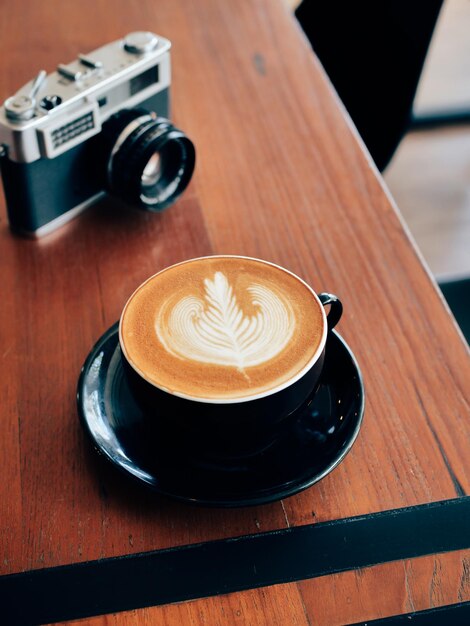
(281, 175)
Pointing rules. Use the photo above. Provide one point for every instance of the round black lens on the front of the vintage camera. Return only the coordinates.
(149, 161)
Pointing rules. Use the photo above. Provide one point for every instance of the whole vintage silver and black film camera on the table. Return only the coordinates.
(57, 151)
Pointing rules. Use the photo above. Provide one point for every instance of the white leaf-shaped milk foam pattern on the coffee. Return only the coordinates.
(216, 330)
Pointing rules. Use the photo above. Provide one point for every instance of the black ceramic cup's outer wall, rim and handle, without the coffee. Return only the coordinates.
(227, 429)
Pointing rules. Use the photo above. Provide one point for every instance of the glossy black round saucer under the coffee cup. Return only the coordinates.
(319, 439)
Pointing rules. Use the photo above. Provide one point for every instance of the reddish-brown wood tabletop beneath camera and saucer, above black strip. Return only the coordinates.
(280, 175)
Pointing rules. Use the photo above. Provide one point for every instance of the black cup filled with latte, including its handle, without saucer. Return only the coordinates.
(220, 352)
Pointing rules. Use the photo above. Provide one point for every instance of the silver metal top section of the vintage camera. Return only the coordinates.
(56, 112)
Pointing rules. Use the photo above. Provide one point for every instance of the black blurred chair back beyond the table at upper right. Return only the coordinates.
(374, 53)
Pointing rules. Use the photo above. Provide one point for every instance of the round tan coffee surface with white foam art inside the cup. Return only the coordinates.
(222, 328)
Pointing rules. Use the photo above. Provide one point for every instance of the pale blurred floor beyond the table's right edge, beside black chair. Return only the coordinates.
(429, 175)
